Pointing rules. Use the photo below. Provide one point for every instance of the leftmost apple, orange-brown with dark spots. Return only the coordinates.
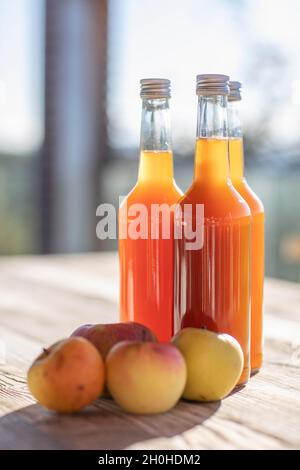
(67, 376)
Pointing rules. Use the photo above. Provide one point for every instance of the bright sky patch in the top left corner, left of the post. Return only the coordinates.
(21, 102)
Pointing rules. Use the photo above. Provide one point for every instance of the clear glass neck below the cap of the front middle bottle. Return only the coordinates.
(211, 161)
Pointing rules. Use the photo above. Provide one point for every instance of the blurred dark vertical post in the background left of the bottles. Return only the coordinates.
(75, 122)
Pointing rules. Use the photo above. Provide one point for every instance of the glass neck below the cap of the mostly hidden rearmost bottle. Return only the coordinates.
(236, 153)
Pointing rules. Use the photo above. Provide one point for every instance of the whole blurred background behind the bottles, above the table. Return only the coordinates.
(70, 110)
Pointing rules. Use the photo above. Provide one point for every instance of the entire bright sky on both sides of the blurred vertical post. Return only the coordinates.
(164, 38)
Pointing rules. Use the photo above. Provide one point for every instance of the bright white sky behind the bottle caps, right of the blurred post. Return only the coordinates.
(178, 39)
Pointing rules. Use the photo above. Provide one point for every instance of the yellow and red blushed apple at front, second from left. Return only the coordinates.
(145, 377)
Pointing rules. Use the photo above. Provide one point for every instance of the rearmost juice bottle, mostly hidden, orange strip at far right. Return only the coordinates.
(257, 229)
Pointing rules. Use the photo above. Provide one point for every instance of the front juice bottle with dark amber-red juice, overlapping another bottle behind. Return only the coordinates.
(212, 281)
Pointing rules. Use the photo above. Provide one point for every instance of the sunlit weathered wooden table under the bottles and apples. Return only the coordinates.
(43, 299)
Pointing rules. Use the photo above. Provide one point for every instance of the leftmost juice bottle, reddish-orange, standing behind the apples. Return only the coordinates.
(146, 262)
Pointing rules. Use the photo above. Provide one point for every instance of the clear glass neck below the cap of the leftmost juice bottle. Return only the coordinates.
(156, 157)
